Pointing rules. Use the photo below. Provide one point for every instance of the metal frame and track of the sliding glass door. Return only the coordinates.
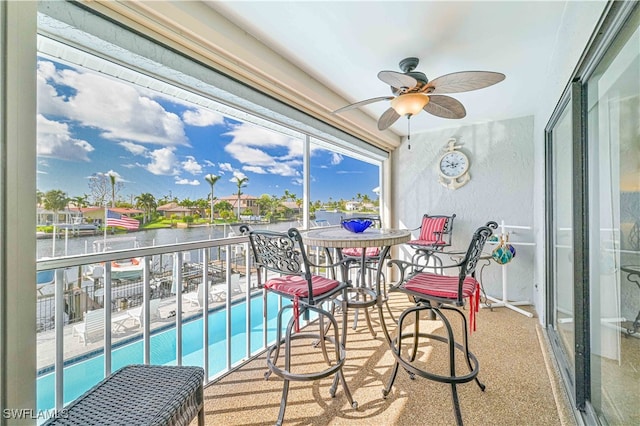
(578, 384)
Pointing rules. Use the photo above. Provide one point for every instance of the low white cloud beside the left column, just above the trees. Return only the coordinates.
(55, 141)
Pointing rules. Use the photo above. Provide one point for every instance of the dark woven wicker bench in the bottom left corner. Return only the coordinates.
(140, 395)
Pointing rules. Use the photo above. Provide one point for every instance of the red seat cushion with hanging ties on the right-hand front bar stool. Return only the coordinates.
(446, 286)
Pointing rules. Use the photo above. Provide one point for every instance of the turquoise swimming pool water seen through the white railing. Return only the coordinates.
(82, 375)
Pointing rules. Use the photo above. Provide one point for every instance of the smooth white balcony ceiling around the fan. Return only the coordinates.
(345, 44)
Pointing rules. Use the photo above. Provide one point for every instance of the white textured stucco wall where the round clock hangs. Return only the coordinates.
(501, 188)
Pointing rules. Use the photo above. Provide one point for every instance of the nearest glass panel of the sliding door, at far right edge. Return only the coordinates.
(614, 221)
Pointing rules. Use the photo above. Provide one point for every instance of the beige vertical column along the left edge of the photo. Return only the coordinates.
(17, 207)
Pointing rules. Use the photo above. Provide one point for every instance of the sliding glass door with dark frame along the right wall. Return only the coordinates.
(593, 211)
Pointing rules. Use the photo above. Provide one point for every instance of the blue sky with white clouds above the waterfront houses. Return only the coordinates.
(91, 123)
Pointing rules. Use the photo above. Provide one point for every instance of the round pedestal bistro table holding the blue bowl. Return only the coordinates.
(339, 238)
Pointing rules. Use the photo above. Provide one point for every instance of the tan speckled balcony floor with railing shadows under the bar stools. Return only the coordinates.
(522, 387)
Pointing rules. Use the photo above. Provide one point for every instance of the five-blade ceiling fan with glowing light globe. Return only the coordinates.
(413, 92)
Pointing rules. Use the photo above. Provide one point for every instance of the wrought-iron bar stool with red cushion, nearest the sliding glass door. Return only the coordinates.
(439, 294)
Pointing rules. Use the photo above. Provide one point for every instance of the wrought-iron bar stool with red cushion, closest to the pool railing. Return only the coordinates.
(283, 254)
